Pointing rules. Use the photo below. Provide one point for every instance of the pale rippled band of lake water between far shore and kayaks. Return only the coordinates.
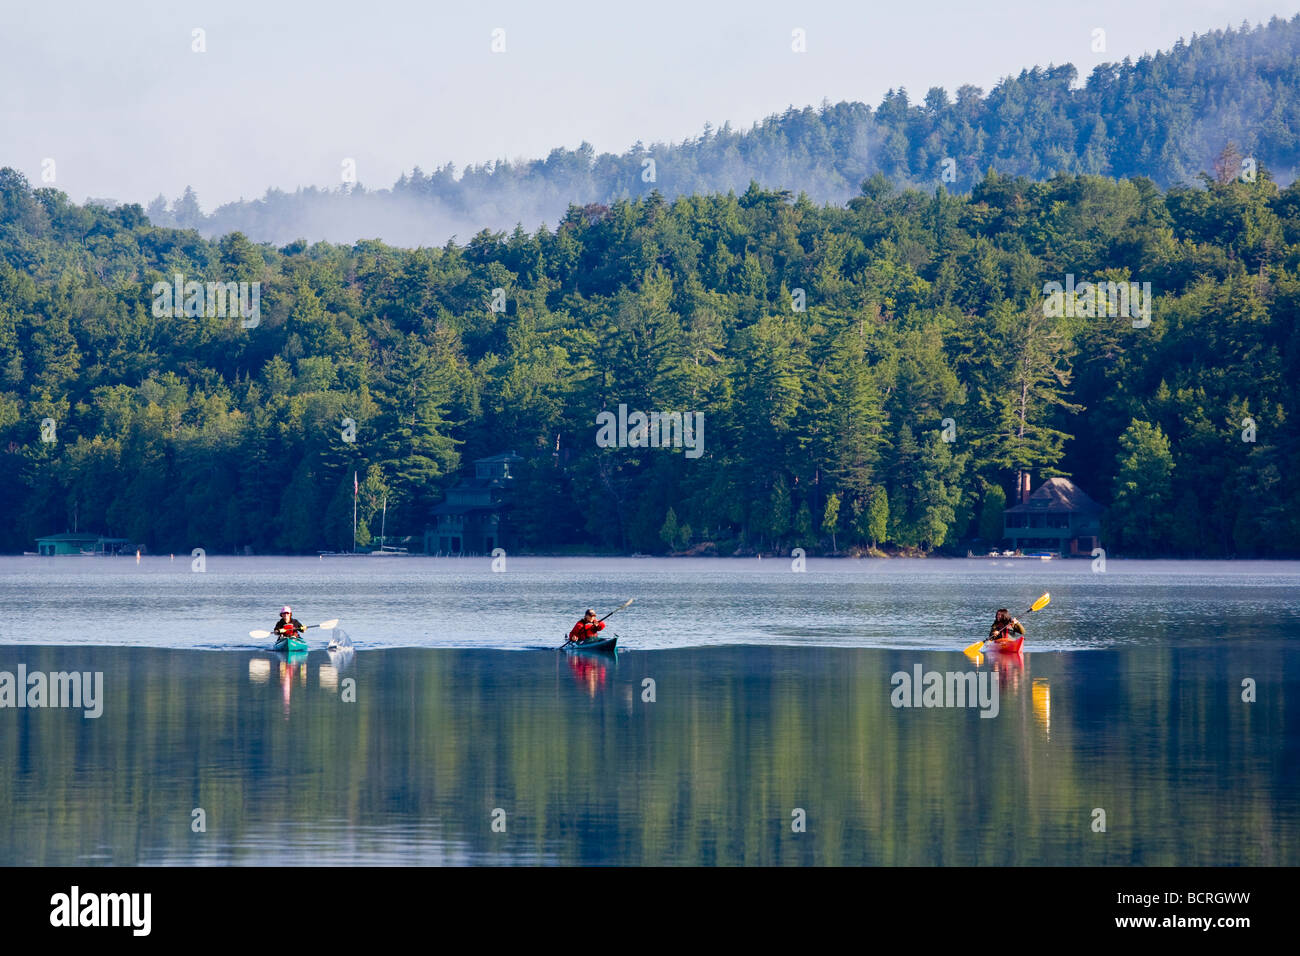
(402, 603)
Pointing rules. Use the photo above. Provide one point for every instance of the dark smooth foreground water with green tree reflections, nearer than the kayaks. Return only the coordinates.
(705, 775)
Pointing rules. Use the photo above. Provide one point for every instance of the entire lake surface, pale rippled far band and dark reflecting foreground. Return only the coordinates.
(772, 697)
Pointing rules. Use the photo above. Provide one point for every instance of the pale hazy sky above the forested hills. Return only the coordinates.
(116, 97)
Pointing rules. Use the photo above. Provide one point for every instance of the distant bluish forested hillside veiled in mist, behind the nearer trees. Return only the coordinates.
(1164, 118)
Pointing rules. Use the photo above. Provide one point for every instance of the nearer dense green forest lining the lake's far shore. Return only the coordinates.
(826, 347)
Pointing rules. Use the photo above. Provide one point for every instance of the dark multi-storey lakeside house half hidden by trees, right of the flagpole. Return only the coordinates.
(475, 517)
